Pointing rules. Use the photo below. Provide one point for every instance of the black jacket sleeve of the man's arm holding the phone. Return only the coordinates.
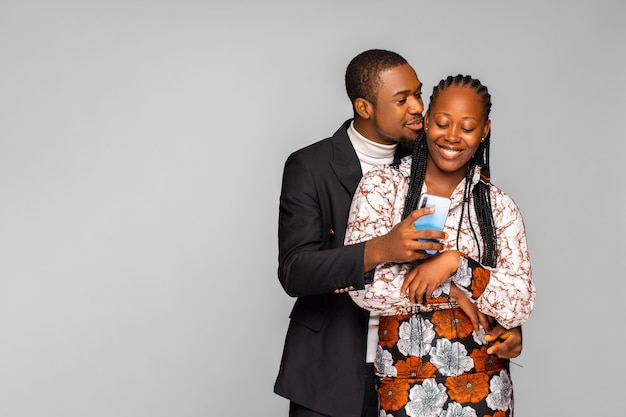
(312, 259)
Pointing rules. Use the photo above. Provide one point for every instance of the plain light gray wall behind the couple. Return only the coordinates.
(141, 153)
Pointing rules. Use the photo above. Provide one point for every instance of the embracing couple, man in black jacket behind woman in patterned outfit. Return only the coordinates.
(359, 271)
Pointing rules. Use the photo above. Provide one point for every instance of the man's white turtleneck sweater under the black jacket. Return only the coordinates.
(371, 154)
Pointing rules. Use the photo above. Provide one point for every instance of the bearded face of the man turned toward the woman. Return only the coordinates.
(398, 109)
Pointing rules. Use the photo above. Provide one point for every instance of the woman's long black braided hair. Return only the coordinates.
(480, 194)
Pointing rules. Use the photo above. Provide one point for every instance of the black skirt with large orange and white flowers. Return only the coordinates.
(432, 363)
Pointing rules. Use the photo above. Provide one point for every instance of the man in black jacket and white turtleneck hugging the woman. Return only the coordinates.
(326, 368)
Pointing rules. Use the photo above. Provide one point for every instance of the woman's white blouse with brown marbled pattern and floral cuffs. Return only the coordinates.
(505, 292)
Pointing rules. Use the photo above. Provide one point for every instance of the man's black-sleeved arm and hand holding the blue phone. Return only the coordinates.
(312, 258)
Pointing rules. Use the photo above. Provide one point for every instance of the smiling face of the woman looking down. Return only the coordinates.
(455, 125)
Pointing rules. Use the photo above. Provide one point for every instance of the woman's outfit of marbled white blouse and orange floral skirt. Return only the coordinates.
(429, 361)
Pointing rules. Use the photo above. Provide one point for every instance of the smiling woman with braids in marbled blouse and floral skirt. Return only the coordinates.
(430, 360)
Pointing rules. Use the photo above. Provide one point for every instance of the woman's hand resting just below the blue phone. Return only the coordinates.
(420, 283)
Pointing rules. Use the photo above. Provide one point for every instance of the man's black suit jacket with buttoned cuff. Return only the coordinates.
(323, 363)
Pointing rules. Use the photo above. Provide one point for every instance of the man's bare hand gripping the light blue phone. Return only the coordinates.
(401, 243)
